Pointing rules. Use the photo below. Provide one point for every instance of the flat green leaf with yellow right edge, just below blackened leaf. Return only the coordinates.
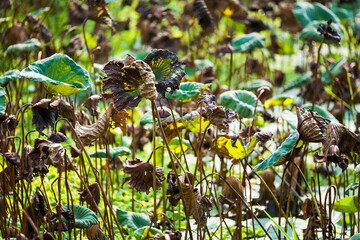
(187, 91)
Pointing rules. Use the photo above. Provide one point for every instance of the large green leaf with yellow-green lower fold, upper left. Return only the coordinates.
(59, 74)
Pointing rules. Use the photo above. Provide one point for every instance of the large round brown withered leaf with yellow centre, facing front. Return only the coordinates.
(129, 80)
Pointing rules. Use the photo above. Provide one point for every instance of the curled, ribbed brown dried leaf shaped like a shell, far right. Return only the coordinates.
(310, 129)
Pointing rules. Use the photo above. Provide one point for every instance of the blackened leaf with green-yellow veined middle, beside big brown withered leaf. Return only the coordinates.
(167, 70)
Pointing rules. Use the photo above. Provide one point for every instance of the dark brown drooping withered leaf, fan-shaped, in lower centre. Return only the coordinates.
(142, 175)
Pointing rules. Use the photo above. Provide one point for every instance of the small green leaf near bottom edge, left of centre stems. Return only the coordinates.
(132, 219)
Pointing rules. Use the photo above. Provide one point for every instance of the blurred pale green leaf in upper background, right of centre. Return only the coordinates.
(248, 42)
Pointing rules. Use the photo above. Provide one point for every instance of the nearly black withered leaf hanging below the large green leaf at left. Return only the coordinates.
(43, 114)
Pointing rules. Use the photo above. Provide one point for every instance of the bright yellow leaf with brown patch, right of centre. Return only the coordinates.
(225, 147)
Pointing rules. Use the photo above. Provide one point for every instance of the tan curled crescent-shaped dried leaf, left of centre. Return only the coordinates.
(90, 133)
